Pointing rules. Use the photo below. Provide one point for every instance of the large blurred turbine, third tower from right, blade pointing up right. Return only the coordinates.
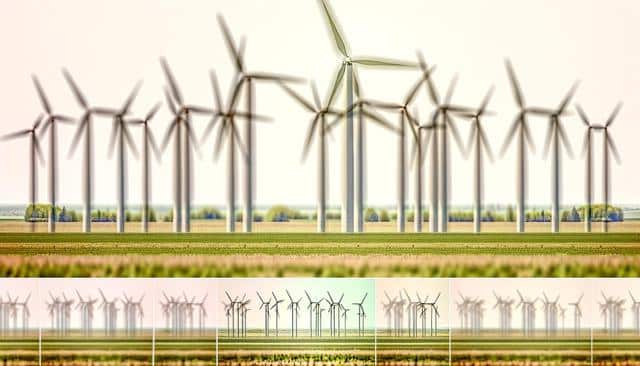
(557, 136)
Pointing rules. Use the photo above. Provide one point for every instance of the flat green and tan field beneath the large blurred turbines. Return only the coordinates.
(295, 253)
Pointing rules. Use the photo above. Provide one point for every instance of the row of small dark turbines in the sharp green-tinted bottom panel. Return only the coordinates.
(236, 309)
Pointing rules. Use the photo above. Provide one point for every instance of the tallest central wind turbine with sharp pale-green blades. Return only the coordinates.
(346, 66)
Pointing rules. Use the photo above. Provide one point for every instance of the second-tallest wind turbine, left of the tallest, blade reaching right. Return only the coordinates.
(246, 79)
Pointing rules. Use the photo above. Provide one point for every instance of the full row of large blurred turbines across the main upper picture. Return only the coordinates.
(430, 138)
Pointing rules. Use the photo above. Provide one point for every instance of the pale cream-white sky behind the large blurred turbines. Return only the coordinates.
(110, 46)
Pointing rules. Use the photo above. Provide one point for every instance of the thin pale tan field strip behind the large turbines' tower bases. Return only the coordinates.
(300, 226)
